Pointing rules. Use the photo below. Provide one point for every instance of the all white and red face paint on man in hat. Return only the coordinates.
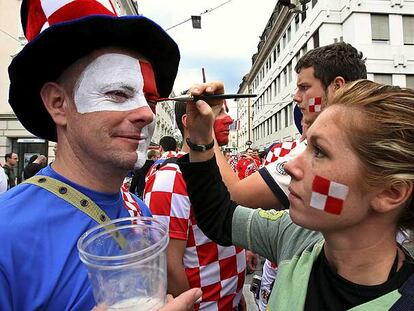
(118, 82)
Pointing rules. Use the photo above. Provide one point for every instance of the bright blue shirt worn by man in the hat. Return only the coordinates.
(39, 263)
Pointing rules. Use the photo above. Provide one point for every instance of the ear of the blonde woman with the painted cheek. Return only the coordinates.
(392, 196)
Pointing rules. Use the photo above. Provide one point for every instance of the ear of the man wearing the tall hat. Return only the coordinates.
(54, 97)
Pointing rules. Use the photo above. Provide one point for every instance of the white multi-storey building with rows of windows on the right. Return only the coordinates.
(382, 29)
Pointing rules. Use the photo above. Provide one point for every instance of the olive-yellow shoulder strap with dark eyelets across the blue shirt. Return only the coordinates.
(77, 199)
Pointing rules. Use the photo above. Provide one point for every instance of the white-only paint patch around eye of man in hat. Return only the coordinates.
(112, 82)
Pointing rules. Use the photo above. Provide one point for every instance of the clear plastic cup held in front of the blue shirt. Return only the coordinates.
(126, 262)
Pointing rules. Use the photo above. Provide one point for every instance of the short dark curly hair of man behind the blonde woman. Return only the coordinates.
(330, 61)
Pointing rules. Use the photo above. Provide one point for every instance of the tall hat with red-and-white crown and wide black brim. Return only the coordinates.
(62, 31)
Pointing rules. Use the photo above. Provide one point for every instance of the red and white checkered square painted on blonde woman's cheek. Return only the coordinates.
(328, 195)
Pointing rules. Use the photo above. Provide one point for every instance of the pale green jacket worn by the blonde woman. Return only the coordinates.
(273, 235)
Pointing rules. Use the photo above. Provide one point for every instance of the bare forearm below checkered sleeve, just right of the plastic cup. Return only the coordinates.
(177, 278)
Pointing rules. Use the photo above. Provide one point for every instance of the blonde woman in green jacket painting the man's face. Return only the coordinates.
(351, 192)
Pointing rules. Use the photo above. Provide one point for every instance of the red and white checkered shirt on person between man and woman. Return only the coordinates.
(219, 271)
